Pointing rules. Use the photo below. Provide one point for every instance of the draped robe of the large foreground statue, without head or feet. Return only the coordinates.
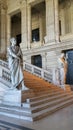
(15, 65)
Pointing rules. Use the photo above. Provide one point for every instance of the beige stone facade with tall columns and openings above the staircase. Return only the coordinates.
(53, 20)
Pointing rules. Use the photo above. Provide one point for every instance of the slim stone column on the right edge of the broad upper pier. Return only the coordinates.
(56, 20)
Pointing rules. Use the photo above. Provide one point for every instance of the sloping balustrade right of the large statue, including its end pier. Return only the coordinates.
(51, 75)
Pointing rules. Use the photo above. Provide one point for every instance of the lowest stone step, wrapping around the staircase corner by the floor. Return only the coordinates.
(35, 116)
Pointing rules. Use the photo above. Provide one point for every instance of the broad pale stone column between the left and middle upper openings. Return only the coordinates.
(24, 25)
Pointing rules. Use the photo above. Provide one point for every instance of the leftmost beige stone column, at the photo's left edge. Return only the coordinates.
(3, 29)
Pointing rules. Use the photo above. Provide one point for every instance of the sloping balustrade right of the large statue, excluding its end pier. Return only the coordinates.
(47, 75)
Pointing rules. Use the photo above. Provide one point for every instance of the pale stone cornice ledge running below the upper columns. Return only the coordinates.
(64, 45)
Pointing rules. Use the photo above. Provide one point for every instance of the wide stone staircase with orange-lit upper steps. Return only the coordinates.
(41, 100)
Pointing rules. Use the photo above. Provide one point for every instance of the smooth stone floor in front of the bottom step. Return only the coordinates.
(60, 120)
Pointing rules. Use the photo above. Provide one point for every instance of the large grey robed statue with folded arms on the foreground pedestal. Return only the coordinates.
(15, 65)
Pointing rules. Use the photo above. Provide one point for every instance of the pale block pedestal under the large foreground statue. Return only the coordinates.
(12, 98)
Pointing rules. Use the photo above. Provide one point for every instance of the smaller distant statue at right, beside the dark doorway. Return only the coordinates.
(63, 68)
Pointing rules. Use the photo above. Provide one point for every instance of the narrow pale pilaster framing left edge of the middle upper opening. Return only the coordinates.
(29, 25)
